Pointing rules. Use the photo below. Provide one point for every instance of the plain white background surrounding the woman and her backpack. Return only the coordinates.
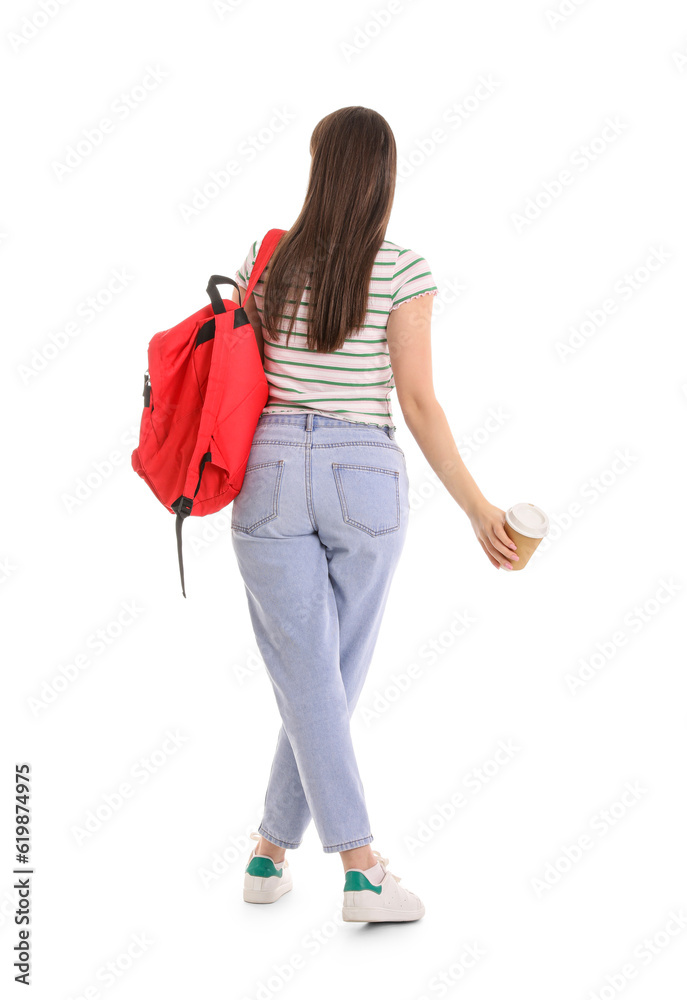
(594, 436)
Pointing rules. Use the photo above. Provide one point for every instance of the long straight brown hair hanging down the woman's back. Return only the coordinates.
(332, 245)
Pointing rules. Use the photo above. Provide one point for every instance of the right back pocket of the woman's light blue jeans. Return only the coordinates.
(369, 497)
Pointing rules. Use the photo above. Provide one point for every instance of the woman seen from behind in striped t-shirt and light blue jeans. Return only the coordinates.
(341, 316)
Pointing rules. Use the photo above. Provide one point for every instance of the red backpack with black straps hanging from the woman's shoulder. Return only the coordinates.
(203, 393)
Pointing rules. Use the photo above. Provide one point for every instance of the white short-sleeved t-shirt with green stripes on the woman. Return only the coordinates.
(355, 382)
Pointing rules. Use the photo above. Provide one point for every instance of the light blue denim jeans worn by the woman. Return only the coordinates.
(318, 529)
